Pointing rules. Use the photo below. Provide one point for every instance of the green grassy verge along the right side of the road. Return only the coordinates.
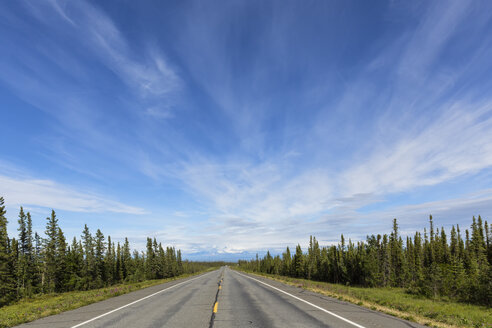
(394, 301)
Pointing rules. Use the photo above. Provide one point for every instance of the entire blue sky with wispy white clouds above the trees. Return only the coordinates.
(230, 127)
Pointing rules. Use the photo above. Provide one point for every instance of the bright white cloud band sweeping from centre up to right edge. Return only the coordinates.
(273, 191)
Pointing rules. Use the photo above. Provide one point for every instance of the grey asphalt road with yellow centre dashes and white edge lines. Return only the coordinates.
(222, 298)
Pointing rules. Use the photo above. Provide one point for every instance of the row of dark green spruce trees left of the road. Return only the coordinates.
(35, 264)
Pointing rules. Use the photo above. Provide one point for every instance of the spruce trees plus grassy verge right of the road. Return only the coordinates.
(443, 279)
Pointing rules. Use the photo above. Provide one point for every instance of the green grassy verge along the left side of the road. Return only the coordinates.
(40, 306)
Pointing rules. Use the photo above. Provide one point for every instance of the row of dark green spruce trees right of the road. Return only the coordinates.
(433, 264)
